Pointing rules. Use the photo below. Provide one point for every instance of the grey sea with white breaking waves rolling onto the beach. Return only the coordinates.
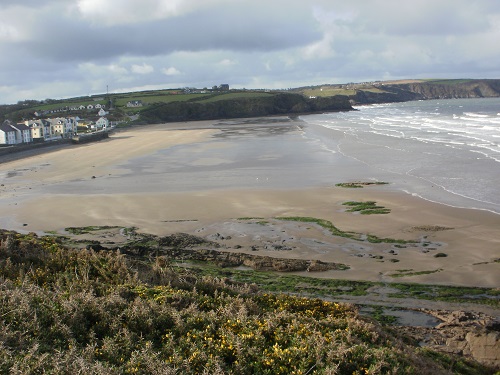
(446, 150)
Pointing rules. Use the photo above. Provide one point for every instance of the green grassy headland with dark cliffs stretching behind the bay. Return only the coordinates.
(196, 104)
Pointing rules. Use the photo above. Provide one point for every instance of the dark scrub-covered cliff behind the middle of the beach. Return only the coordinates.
(277, 104)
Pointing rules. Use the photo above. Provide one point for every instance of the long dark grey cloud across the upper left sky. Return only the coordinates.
(217, 29)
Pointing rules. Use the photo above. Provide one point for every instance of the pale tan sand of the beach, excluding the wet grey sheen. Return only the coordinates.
(471, 240)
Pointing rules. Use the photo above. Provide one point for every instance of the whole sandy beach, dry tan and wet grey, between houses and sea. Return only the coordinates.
(172, 178)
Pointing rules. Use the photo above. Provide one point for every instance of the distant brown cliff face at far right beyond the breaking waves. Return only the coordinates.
(446, 89)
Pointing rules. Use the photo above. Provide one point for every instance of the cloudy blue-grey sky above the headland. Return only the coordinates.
(65, 48)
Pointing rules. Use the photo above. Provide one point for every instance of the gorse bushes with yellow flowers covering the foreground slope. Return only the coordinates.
(80, 311)
